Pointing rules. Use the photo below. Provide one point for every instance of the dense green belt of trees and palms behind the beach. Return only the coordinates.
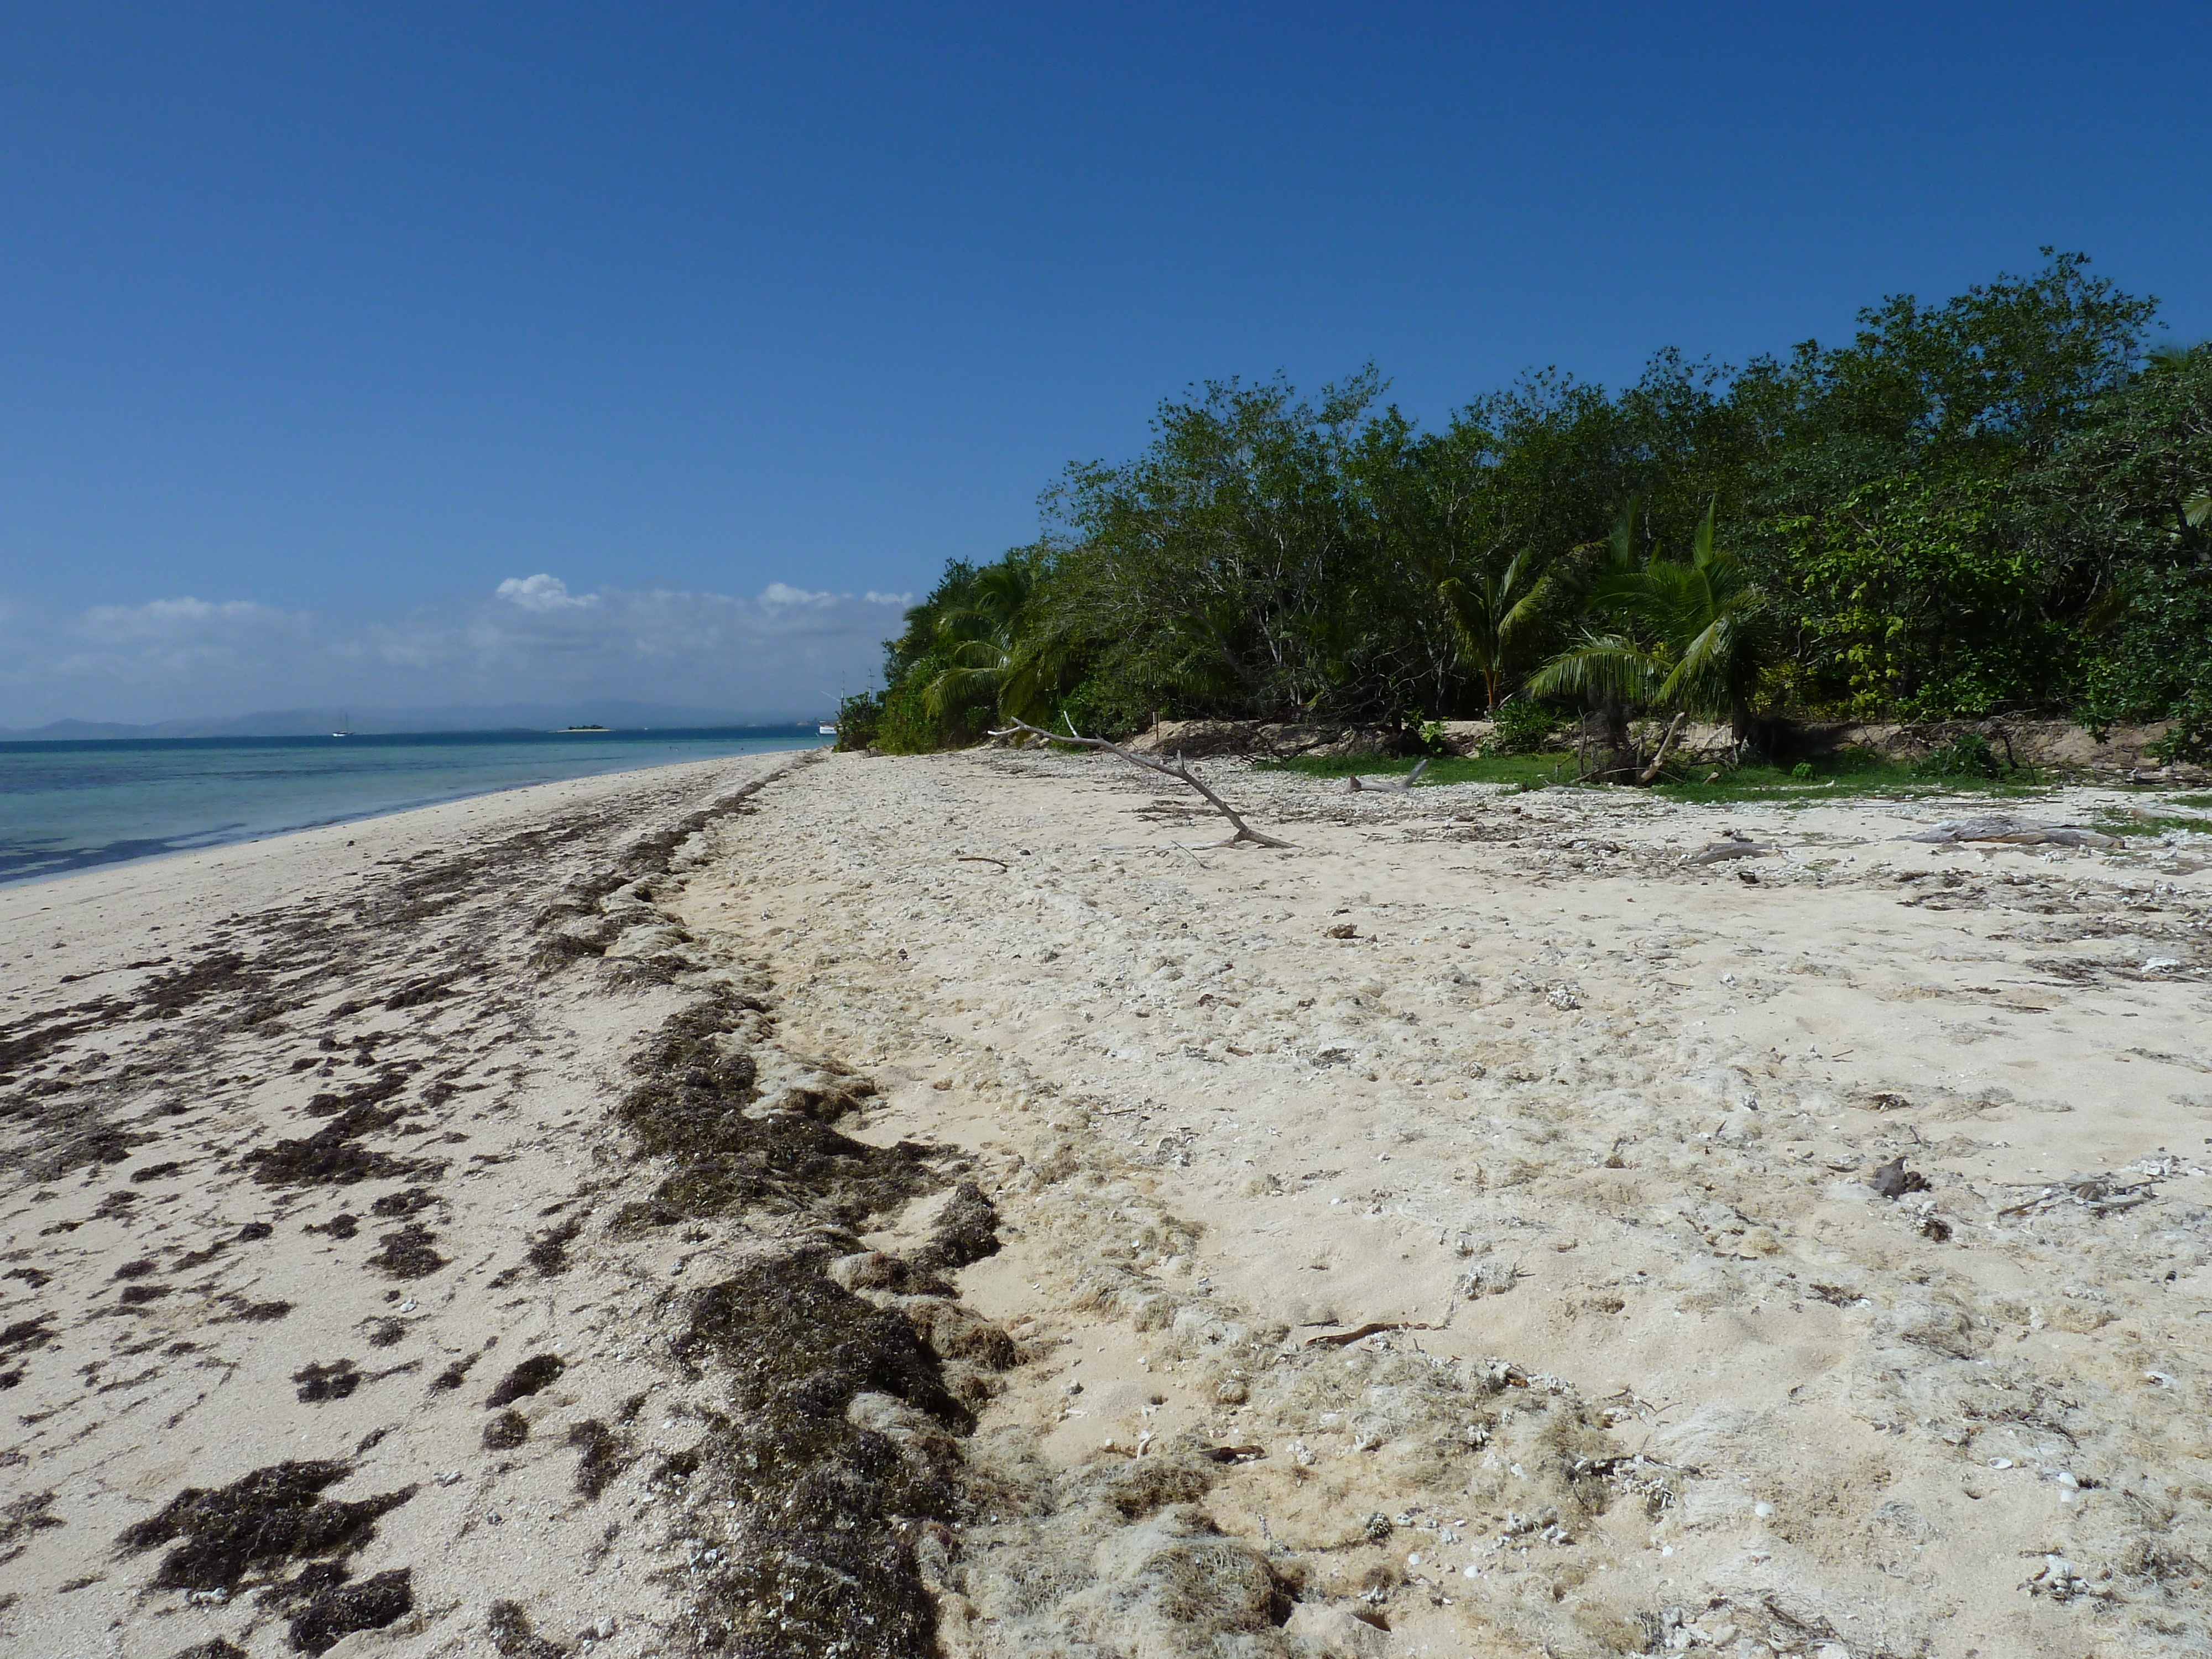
(1985, 505)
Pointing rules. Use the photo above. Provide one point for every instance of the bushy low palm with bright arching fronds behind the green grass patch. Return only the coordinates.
(1698, 636)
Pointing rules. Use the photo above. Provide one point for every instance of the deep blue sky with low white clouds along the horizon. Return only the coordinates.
(320, 322)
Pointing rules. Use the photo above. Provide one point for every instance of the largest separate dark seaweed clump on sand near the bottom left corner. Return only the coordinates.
(258, 1525)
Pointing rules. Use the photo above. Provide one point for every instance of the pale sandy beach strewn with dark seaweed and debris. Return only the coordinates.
(924, 1202)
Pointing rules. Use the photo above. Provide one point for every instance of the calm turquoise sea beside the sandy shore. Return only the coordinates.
(72, 806)
